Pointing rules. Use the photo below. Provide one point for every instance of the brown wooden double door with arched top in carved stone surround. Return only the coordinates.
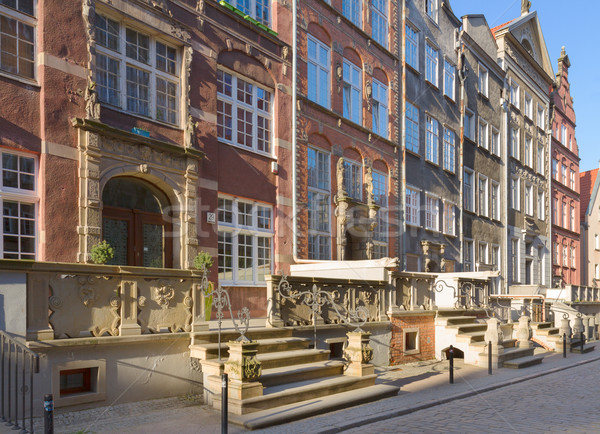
(133, 223)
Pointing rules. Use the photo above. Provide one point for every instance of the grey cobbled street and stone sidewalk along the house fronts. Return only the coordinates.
(558, 388)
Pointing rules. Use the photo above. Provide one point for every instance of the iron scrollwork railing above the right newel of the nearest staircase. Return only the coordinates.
(316, 298)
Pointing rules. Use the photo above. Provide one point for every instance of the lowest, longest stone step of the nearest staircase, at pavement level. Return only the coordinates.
(313, 407)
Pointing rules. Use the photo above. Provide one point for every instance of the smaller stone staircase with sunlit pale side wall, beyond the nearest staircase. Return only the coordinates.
(466, 331)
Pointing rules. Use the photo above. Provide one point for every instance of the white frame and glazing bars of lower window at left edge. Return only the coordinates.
(19, 196)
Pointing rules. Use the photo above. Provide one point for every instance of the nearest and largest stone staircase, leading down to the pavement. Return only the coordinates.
(296, 381)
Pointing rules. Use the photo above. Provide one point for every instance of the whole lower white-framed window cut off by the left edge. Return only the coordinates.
(19, 201)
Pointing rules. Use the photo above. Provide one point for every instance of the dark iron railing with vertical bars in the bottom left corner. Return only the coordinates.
(17, 366)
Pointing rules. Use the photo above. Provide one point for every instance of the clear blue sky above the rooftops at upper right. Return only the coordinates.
(573, 26)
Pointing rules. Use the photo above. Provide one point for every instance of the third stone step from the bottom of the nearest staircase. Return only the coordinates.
(291, 374)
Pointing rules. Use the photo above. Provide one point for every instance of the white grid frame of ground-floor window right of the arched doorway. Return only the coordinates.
(255, 233)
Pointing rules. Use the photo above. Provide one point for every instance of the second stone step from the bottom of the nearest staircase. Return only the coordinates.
(297, 392)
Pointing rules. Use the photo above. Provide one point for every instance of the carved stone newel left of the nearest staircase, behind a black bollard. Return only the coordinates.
(244, 370)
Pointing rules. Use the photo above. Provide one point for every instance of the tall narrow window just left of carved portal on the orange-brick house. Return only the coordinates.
(319, 235)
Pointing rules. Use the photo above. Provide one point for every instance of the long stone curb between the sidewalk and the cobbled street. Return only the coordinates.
(396, 413)
